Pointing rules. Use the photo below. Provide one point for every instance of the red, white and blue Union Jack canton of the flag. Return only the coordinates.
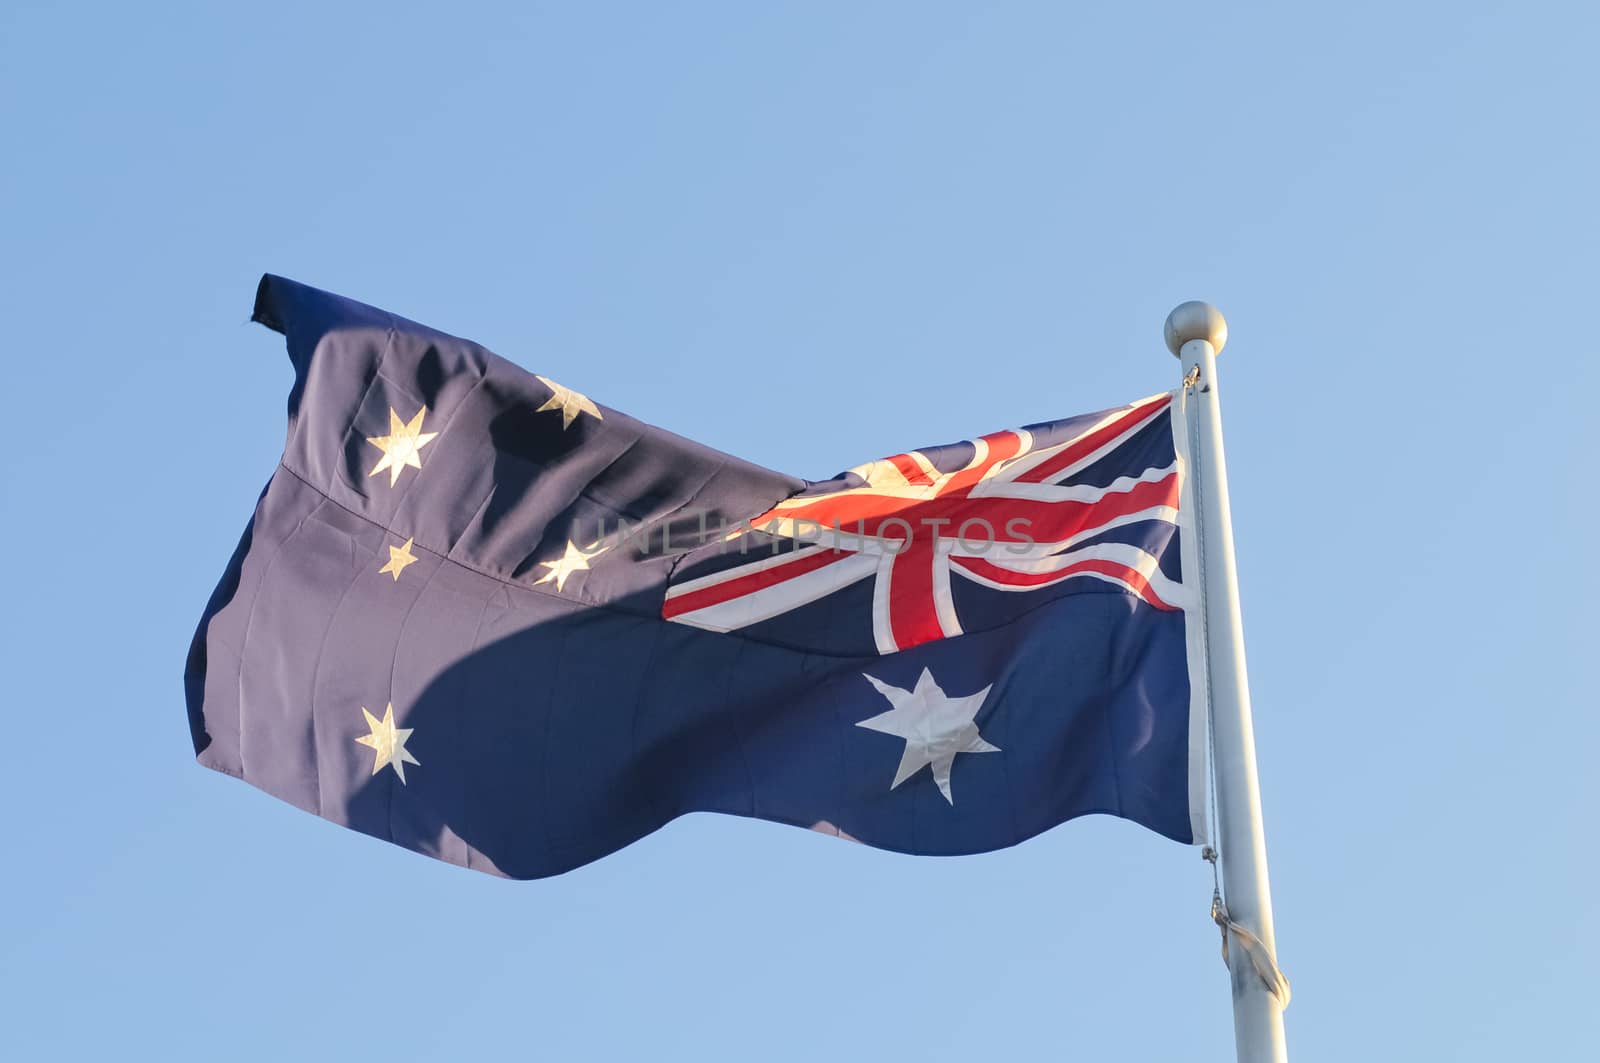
(961, 537)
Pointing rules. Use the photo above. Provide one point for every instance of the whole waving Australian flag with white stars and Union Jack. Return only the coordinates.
(484, 617)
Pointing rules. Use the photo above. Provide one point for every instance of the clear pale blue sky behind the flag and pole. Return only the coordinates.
(815, 235)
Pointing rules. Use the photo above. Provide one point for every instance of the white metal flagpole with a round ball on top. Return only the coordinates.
(1196, 334)
